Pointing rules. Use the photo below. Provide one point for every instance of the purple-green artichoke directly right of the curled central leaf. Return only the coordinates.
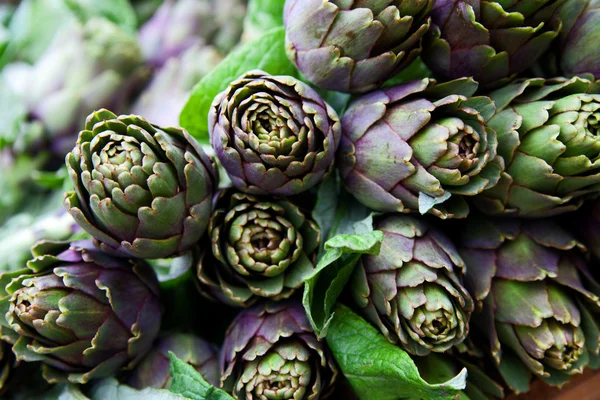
(412, 291)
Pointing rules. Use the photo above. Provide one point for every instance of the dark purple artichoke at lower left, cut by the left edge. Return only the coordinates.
(81, 312)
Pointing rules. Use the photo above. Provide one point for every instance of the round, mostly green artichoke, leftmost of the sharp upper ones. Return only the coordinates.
(140, 190)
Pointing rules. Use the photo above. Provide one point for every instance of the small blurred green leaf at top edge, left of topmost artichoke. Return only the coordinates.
(262, 16)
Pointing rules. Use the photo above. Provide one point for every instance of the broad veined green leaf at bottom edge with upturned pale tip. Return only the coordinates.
(376, 368)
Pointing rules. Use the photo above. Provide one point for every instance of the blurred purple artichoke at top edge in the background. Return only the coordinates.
(178, 25)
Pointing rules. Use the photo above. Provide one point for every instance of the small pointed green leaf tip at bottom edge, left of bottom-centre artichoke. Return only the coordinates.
(190, 384)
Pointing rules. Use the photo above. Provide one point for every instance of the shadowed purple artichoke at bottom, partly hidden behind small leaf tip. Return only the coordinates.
(153, 370)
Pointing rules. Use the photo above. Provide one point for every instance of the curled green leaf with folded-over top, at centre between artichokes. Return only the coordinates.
(323, 287)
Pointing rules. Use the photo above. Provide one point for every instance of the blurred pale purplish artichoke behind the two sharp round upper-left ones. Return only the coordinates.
(164, 97)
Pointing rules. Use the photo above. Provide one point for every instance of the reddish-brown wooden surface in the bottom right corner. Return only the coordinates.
(583, 387)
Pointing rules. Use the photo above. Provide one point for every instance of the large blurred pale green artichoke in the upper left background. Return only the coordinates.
(86, 67)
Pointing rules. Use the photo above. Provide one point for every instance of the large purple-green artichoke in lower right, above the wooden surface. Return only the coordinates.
(538, 302)
